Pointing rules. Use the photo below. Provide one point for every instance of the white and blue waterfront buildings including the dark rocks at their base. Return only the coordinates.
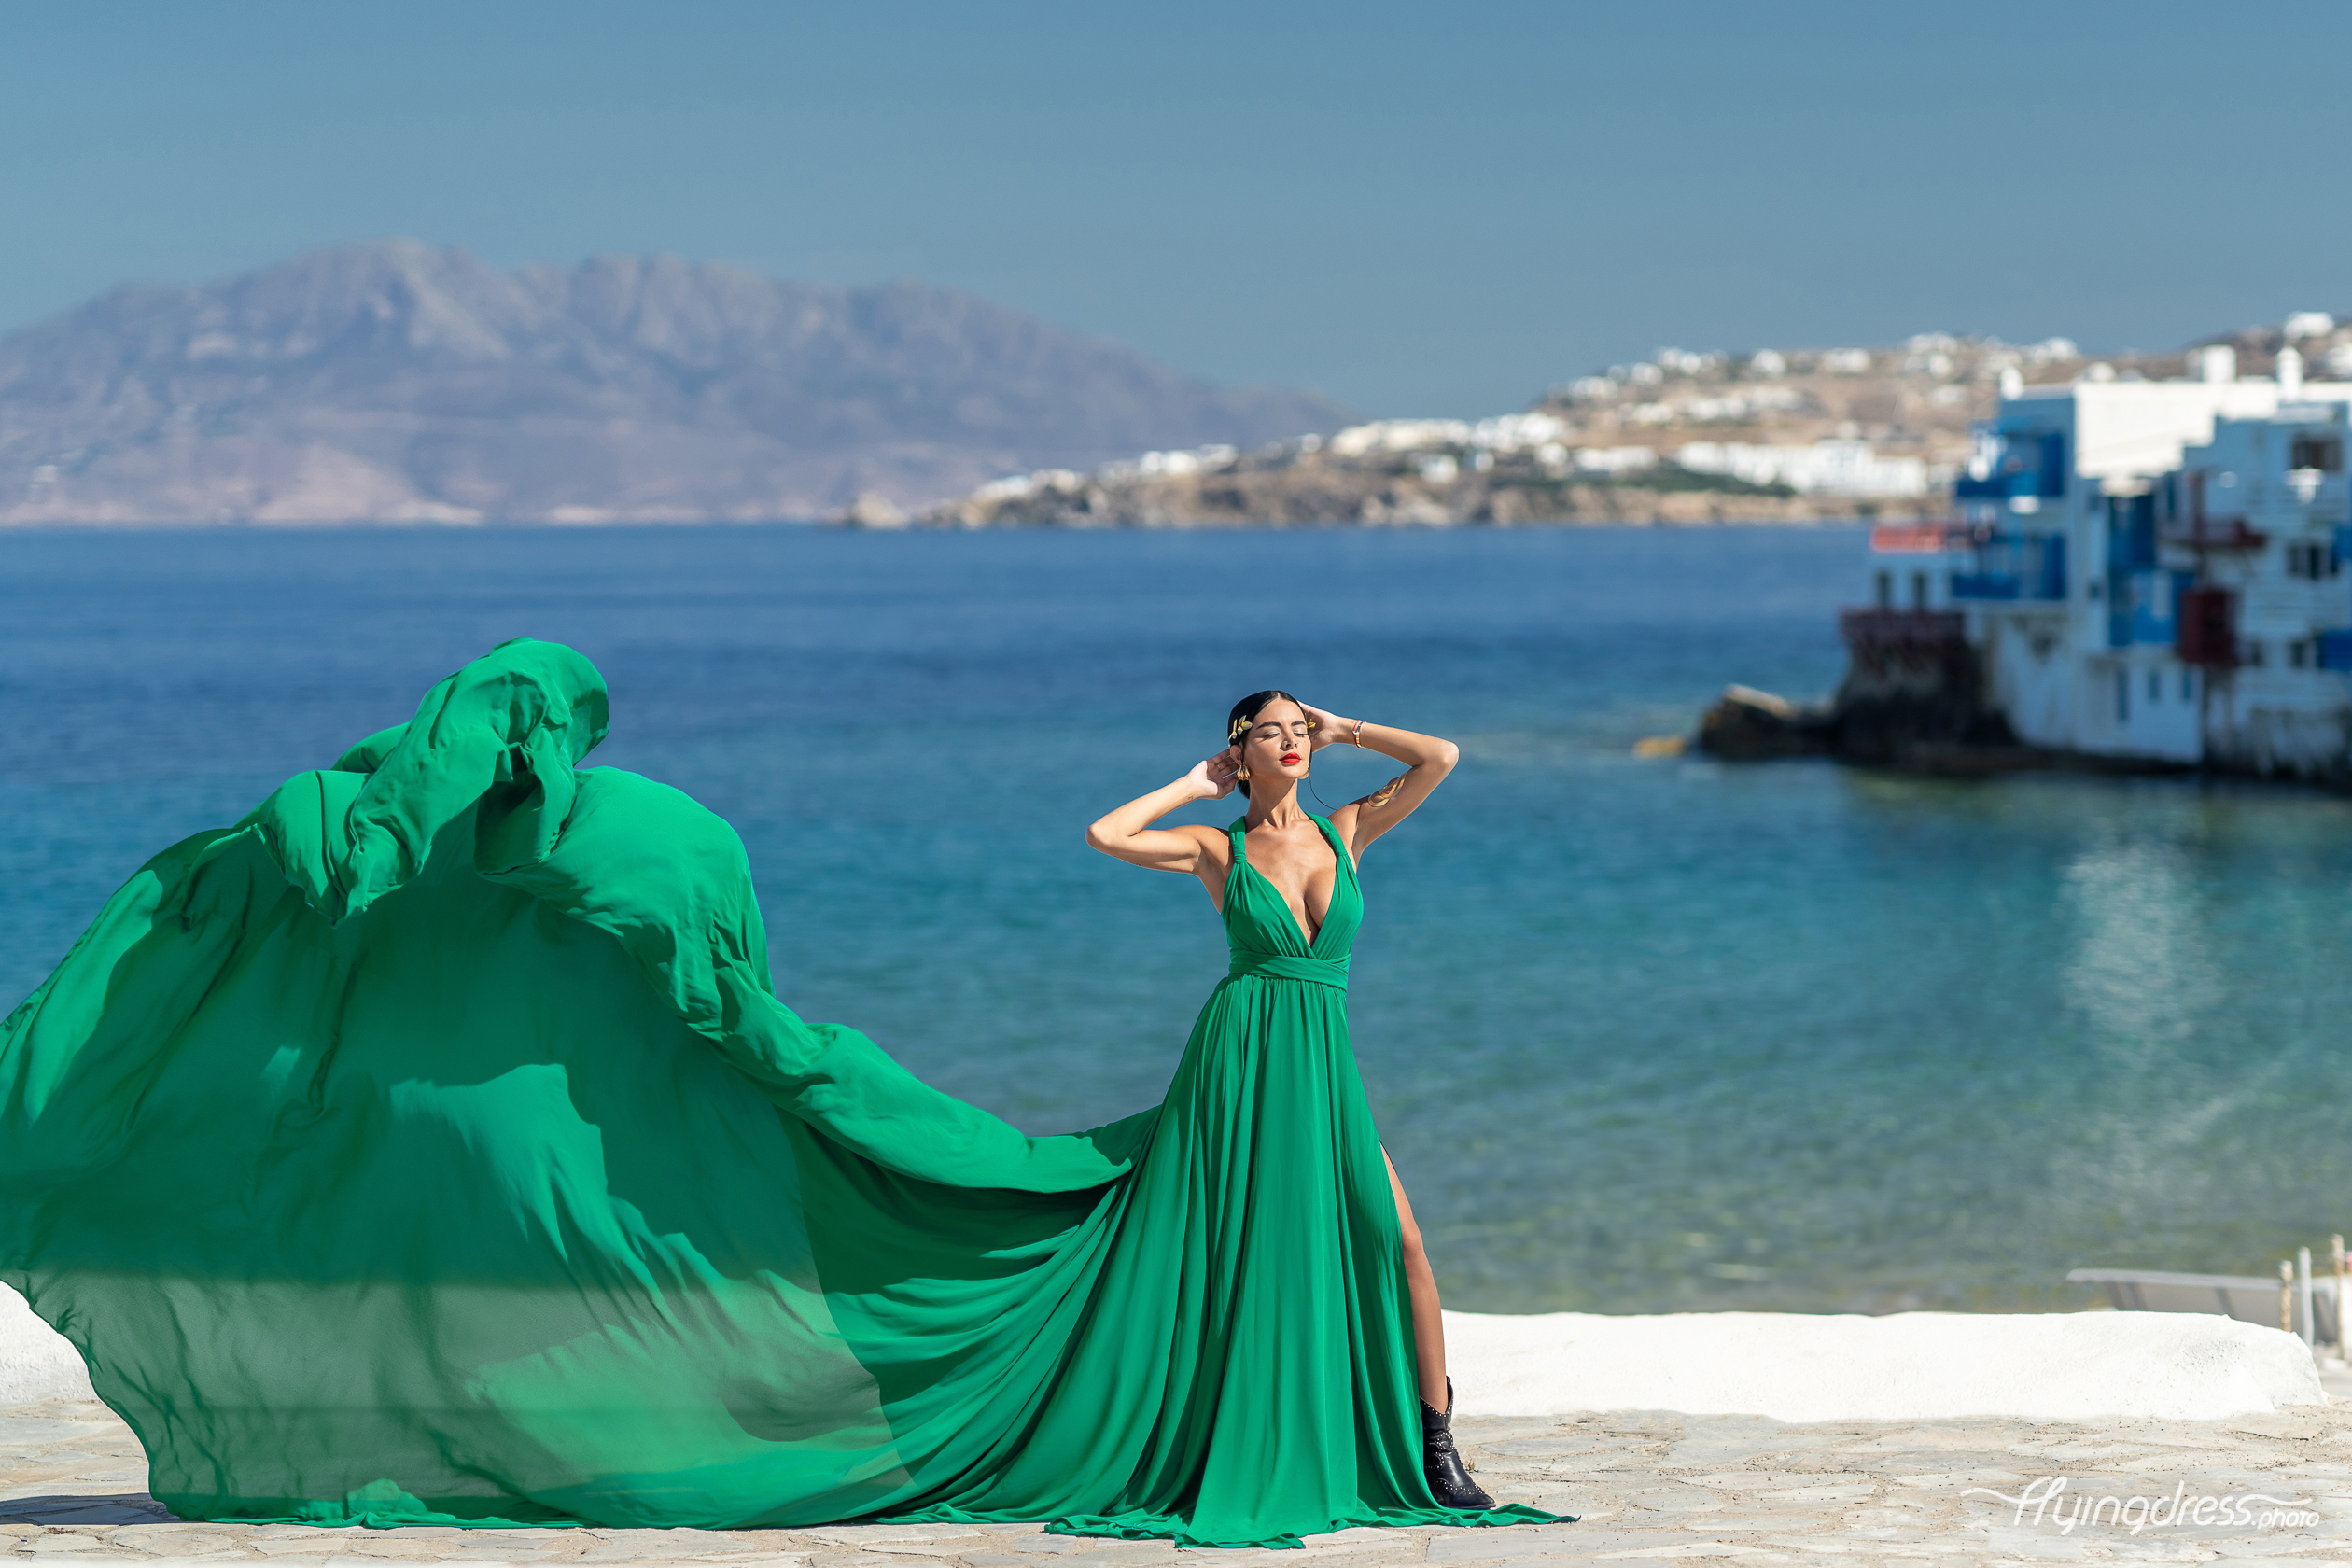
(2132, 575)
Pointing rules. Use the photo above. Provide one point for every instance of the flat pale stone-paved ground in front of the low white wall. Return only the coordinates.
(1648, 1487)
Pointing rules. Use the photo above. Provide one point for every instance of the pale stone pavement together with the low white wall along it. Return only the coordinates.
(1864, 1445)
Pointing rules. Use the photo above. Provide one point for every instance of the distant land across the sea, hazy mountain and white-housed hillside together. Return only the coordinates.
(410, 384)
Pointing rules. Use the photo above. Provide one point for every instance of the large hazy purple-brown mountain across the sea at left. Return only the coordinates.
(403, 382)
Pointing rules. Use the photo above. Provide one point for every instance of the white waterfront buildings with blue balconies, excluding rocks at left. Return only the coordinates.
(2153, 570)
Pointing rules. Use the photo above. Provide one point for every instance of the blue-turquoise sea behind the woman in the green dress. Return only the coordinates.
(1643, 1036)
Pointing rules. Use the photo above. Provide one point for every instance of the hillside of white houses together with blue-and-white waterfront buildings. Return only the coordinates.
(2125, 563)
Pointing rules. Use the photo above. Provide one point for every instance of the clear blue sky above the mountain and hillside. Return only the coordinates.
(1405, 206)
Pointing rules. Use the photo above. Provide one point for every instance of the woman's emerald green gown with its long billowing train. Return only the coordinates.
(429, 1148)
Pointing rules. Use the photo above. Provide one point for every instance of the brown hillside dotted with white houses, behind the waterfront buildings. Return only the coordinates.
(1683, 438)
